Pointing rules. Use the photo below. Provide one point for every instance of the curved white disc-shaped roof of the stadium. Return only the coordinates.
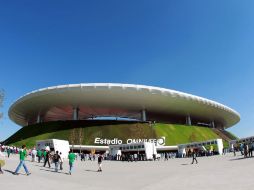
(105, 99)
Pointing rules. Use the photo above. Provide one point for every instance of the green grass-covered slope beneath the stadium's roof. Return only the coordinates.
(84, 132)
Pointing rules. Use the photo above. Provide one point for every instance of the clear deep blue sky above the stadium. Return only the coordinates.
(199, 47)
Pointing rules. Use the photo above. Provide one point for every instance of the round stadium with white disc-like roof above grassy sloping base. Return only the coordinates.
(84, 112)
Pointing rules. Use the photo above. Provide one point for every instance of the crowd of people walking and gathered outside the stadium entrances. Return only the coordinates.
(48, 157)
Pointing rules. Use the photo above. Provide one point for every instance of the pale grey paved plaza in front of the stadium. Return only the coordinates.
(215, 173)
